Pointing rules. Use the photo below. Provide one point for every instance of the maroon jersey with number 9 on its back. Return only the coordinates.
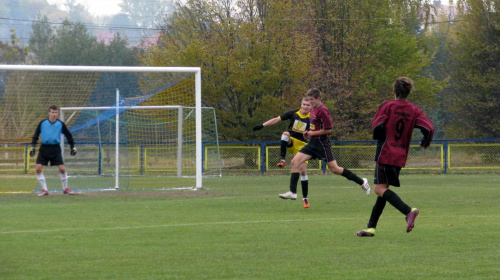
(393, 126)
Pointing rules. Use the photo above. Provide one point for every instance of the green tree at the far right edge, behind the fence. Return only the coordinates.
(474, 49)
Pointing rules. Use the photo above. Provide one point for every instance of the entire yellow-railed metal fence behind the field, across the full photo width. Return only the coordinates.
(261, 157)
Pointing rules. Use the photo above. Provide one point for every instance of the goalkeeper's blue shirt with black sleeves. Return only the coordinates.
(51, 133)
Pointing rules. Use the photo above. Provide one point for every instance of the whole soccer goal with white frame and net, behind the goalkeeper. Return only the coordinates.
(134, 127)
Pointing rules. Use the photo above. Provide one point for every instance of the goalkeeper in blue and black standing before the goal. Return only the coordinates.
(50, 131)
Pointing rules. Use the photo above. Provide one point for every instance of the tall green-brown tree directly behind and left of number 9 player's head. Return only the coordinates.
(363, 46)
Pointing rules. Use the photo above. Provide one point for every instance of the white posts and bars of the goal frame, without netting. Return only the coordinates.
(129, 69)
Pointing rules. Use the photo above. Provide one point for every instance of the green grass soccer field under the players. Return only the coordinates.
(238, 228)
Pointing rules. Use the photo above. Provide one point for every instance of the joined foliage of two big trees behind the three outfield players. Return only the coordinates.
(260, 58)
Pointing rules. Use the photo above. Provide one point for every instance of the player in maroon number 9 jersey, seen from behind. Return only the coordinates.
(393, 126)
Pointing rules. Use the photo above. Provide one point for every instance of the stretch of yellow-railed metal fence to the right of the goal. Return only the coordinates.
(442, 156)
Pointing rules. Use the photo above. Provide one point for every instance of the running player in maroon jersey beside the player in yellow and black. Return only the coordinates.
(319, 145)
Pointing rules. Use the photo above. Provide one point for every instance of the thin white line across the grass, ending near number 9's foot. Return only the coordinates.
(173, 225)
